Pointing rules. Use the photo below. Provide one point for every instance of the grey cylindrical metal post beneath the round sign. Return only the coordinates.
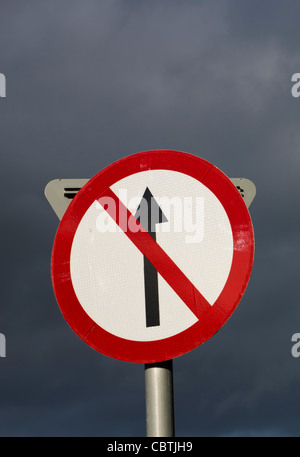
(159, 399)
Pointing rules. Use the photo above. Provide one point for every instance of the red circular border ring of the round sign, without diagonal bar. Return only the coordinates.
(243, 254)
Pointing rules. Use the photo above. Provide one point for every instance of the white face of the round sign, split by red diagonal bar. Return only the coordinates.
(108, 270)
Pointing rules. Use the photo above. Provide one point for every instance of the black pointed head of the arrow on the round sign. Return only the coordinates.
(149, 212)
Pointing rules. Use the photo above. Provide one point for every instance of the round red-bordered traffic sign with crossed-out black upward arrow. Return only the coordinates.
(152, 256)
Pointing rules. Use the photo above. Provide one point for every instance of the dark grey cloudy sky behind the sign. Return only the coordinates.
(89, 83)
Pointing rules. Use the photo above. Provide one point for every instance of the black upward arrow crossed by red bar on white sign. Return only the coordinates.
(149, 214)
